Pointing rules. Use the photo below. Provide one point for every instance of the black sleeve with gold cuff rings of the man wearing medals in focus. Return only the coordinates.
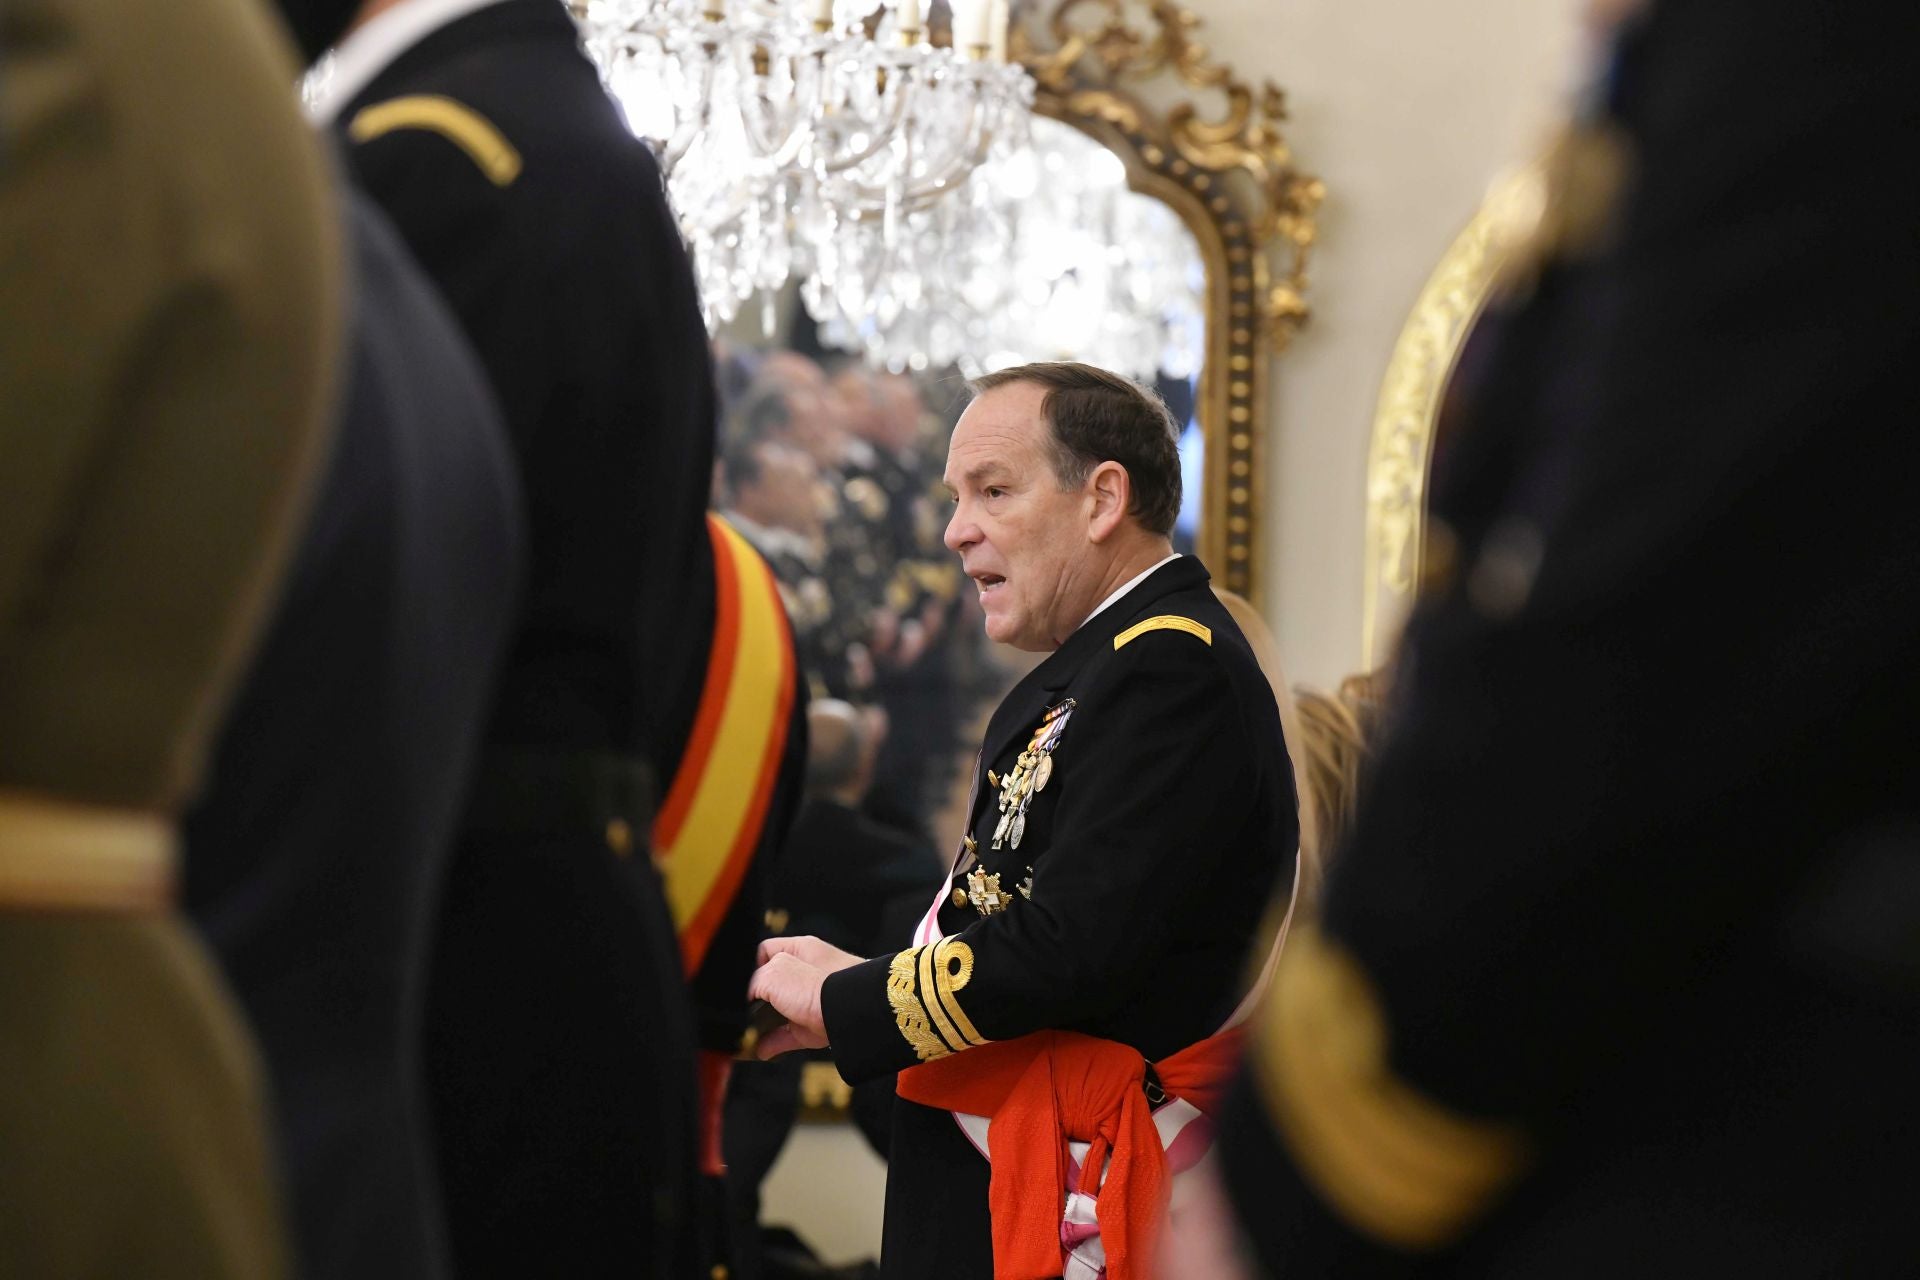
(1153, 801)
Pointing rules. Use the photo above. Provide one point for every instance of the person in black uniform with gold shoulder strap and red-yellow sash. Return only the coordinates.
(650, 696)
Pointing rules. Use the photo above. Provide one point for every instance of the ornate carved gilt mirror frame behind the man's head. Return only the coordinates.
(1226, 168)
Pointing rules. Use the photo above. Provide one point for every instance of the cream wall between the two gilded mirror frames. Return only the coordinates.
(1408, 110)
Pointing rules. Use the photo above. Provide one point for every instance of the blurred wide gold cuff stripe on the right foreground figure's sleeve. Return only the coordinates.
(1389, 1160)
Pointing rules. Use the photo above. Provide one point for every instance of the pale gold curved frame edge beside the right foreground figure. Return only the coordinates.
(1412, 392)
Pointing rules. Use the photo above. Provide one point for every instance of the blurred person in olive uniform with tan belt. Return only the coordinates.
(170, 295)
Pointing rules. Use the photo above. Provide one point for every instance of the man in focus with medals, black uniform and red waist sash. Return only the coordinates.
(1134, 809)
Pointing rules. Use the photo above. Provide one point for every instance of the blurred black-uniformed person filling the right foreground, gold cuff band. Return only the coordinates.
(1620, 972)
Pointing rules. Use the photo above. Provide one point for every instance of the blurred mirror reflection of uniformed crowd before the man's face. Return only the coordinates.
(834, 473)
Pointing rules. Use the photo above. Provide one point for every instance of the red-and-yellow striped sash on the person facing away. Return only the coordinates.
(715, 813)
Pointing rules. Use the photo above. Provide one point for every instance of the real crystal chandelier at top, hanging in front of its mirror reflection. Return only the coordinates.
(815, 139)
